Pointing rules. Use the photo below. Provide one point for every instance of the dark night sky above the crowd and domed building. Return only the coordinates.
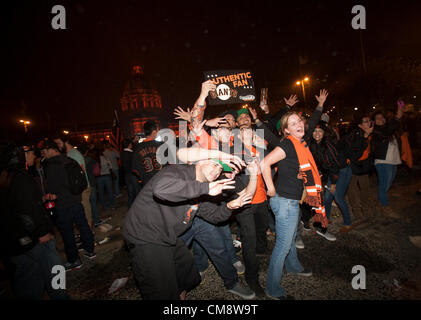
(75, 77)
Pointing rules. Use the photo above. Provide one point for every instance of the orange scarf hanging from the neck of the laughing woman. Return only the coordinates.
(311, 178)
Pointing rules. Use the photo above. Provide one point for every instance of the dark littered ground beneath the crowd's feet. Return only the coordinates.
(392, 262)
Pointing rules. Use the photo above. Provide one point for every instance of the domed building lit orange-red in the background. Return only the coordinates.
(140, 103)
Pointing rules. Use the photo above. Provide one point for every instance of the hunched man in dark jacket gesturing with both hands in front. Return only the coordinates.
(163, 211)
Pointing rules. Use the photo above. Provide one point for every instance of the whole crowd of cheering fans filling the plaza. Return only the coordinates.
(275, 175)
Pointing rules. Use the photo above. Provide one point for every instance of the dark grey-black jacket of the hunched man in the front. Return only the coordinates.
(160, 212)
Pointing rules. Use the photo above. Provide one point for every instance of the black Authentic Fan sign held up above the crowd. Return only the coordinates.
(232, 86)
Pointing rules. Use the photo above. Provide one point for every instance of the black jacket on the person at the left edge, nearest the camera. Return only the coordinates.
(22, 215)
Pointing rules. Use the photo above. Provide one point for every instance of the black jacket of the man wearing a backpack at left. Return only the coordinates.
(57, 182)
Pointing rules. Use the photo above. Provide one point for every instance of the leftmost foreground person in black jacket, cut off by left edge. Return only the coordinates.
(27, 245)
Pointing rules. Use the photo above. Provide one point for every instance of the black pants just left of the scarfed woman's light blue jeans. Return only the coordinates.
(245, 219)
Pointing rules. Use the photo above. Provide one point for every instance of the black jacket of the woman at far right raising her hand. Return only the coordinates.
(381, 137)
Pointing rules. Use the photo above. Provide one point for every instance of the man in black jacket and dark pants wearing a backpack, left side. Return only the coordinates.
(69, 209)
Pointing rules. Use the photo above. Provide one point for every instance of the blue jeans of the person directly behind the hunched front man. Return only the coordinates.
(200, 256)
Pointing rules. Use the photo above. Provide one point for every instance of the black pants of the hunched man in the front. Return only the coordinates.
(163, 272)
